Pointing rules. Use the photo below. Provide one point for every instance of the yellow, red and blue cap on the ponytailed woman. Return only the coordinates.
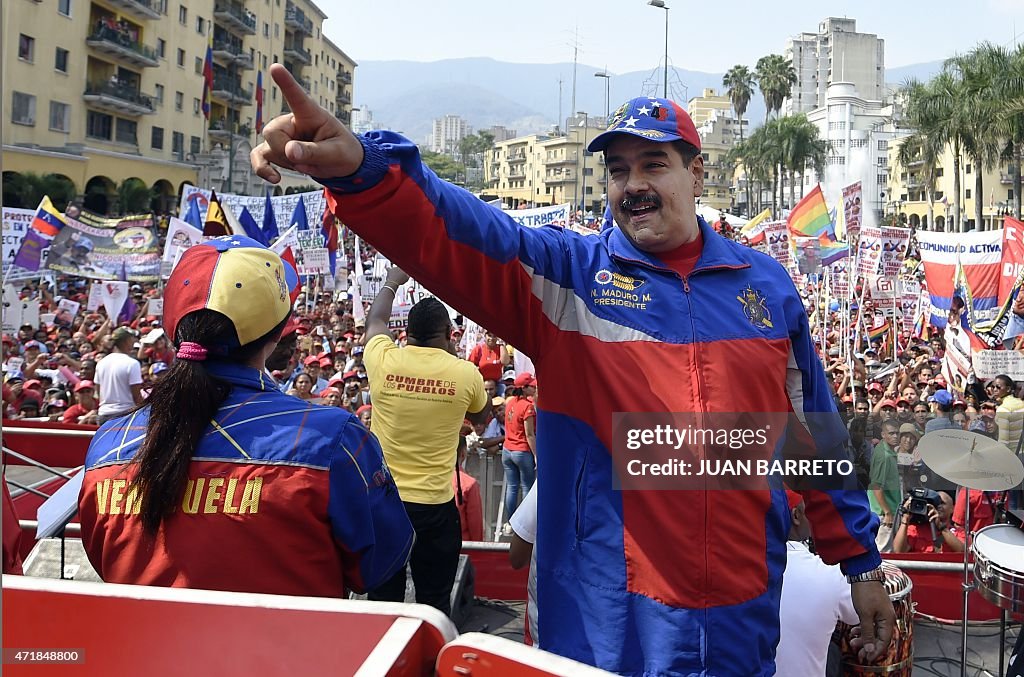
(236, 277)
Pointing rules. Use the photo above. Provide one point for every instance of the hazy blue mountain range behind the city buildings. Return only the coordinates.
(528, 98)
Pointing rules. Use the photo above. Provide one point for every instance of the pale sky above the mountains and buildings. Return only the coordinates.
(628, 35)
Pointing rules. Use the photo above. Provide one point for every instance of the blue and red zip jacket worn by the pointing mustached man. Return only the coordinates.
(653, 582)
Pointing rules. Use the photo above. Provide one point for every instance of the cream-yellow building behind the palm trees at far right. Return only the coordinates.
(908, 196)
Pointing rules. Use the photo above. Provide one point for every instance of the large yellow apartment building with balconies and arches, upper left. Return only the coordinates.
(103, 92)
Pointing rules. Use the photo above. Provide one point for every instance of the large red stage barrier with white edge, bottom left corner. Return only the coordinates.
(174, 631)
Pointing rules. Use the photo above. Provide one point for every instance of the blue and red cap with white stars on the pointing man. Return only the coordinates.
(655, 119)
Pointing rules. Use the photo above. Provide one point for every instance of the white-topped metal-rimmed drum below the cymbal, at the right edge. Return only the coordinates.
(999, 566)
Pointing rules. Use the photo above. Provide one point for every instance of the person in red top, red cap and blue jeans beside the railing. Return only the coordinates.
(519, 456)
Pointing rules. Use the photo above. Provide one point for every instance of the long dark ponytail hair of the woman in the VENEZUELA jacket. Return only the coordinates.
(182, 406)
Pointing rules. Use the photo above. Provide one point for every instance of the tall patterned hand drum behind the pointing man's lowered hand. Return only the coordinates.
(899, 661)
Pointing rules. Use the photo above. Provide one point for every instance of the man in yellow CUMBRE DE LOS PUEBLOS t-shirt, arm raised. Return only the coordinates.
(421, 396)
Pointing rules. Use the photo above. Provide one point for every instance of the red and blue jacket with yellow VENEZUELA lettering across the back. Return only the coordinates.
(283, 497)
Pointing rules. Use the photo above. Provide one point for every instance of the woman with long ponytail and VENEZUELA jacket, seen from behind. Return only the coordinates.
(222, 482)
